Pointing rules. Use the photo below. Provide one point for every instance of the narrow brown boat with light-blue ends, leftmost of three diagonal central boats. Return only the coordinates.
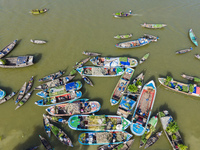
(121, 86)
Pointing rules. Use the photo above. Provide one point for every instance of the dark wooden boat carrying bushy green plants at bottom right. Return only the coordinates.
(173, 138)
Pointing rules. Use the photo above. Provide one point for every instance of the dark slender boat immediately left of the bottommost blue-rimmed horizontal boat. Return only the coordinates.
(61, 135)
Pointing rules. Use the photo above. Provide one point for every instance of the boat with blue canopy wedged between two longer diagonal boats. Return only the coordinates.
(128, 101)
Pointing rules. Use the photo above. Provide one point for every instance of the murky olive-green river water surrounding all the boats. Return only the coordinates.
(71, 27)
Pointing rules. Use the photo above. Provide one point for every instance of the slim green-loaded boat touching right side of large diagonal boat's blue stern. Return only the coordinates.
(149, 131)
